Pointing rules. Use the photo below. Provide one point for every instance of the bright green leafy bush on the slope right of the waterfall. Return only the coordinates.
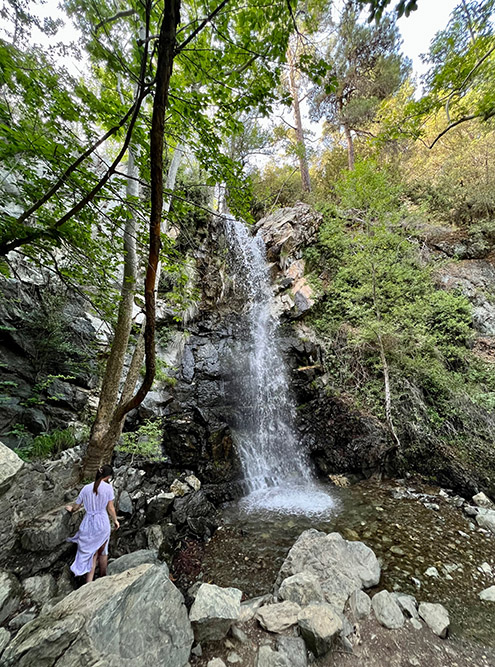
(375, 284)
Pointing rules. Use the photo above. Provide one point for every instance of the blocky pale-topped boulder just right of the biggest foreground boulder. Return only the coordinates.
(213, 612)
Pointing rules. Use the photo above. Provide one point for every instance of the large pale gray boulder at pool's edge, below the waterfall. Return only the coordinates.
(340, 566)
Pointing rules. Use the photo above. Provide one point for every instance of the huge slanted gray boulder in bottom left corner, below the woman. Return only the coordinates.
(134, 619)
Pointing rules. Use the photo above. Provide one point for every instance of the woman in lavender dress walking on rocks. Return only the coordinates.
(94, 531)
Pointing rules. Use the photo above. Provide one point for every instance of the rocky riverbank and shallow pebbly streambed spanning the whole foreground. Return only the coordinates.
(423, 554)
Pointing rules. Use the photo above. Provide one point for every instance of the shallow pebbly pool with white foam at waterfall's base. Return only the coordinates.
(258, 531)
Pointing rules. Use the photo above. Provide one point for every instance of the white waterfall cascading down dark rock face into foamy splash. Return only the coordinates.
(276, 470)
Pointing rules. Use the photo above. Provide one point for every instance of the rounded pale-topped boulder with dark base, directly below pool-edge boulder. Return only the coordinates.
(319, 625)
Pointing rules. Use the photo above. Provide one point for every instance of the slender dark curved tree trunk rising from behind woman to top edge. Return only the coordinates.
(100, 450)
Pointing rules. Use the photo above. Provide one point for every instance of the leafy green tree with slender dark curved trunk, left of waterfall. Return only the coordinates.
(202, 101)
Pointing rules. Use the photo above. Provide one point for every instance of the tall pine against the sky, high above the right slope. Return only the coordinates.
(364, 68)
